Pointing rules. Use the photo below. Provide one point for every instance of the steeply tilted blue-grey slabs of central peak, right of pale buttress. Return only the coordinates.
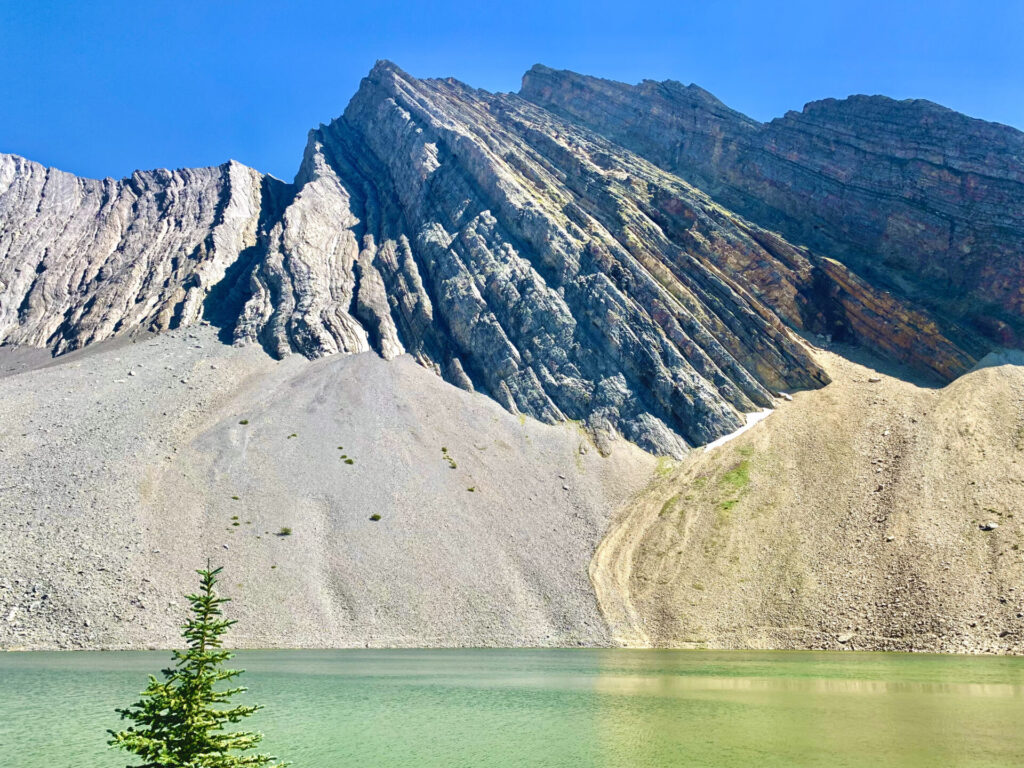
(550, 287)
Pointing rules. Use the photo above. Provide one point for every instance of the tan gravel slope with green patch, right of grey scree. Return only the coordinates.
(851, 518)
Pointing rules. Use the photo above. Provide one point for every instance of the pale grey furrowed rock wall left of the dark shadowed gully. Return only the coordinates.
(82, 260)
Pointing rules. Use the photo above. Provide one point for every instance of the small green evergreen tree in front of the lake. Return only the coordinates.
(180, 721)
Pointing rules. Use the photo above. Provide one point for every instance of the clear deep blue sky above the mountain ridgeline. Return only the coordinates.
(102, 89)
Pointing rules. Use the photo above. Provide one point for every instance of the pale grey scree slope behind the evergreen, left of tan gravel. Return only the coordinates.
(120, 466)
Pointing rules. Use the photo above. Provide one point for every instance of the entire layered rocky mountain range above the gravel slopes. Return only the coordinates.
(642, 259)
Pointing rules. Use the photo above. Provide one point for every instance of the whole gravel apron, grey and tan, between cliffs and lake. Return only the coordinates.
(850, 518)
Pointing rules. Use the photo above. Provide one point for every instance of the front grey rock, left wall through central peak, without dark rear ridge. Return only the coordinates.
(506, 248)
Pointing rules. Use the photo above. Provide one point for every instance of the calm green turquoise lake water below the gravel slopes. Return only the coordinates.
(619, 709)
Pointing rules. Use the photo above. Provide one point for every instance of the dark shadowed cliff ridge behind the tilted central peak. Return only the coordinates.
(914, 196)
